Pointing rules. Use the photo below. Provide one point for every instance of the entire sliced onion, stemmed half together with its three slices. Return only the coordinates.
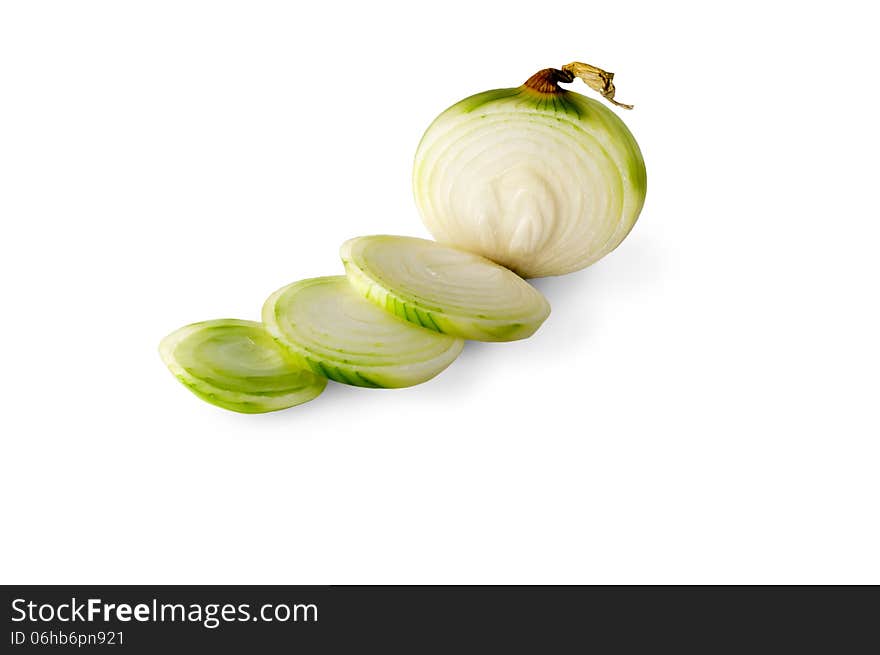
(512, 183)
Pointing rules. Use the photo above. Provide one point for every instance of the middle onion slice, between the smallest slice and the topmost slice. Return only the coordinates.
(327, 326)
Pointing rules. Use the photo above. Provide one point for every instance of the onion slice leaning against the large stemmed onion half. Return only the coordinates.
(444, 289)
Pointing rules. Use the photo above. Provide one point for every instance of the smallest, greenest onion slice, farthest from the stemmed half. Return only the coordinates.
(236, 365)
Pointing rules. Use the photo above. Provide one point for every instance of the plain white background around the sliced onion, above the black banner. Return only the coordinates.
(700, 407)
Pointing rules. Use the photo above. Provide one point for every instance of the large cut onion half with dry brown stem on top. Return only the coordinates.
(541, 180)
